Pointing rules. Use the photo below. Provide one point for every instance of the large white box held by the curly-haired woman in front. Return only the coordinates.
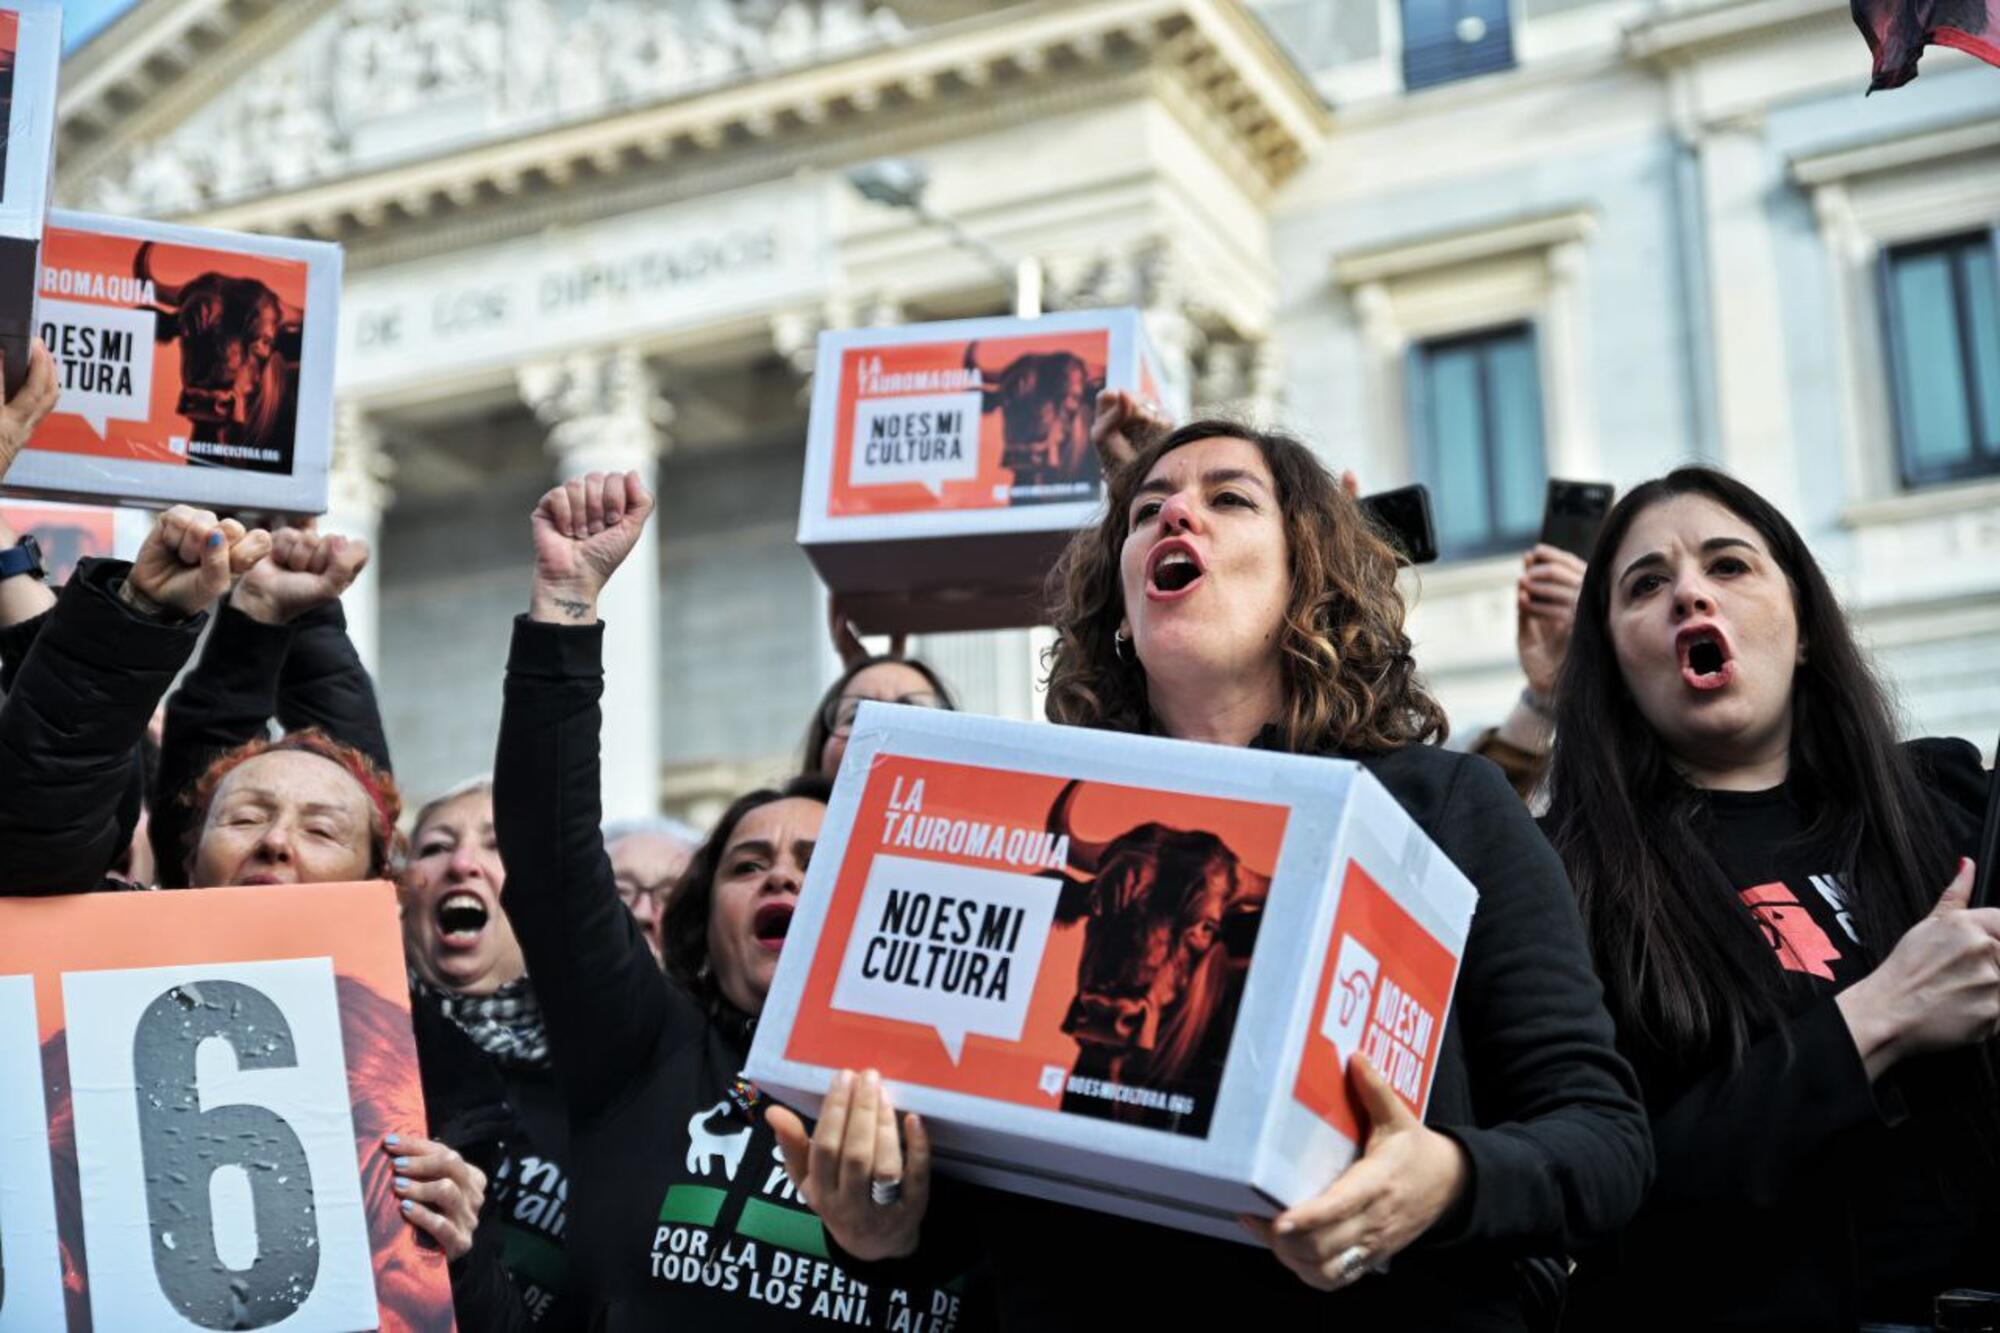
(961, 930)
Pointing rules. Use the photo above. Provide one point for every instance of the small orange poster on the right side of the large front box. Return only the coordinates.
(1385, 990)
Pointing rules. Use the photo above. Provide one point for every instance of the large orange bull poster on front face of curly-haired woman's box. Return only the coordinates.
(1041, 942)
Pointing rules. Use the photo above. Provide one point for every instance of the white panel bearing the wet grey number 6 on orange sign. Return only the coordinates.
(281, 1060)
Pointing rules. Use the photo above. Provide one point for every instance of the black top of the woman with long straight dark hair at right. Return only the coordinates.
(1793, 1194)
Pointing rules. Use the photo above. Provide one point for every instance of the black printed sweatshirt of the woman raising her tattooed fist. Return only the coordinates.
(681, 1214)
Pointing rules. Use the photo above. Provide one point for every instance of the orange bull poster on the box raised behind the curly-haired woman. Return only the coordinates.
(967, 425)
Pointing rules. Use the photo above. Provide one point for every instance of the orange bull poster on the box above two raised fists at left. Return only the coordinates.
(171, 353)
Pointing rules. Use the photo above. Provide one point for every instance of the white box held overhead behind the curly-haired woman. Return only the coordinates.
(949, 463)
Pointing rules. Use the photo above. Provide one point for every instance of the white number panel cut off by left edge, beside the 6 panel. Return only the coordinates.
(31, 1262)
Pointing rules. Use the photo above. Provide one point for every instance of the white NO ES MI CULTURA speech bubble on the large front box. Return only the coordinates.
(951, 948)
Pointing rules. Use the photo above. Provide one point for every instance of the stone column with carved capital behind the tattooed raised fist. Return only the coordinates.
(605, 415)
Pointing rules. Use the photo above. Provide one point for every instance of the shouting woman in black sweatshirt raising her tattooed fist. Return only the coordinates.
(681, 1214)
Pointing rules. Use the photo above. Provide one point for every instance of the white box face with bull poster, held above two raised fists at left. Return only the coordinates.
(195, 367)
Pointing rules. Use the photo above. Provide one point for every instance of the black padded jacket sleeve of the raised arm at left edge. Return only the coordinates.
(85, 684)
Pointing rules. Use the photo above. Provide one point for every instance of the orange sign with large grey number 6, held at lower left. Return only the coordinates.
(193, 1100)
